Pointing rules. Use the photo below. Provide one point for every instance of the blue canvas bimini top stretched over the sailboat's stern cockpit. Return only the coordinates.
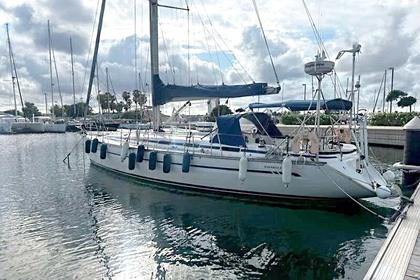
(337, 104)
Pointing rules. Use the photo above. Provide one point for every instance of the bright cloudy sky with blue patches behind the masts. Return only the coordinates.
(214, 42)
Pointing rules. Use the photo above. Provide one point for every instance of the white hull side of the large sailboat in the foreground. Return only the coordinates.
(263, 177)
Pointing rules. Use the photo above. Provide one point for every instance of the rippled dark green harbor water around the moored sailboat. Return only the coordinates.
(60, 222)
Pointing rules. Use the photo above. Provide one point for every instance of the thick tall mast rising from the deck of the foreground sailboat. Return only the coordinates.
(154, 58)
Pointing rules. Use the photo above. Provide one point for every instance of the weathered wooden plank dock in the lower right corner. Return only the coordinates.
(399, 256)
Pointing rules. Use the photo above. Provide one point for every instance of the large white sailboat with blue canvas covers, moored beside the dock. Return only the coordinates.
(259, 162)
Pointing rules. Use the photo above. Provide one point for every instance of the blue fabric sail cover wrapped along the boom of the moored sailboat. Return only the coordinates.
(167, 93)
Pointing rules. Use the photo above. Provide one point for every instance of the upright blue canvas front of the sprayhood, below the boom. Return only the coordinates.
(229, 131)
